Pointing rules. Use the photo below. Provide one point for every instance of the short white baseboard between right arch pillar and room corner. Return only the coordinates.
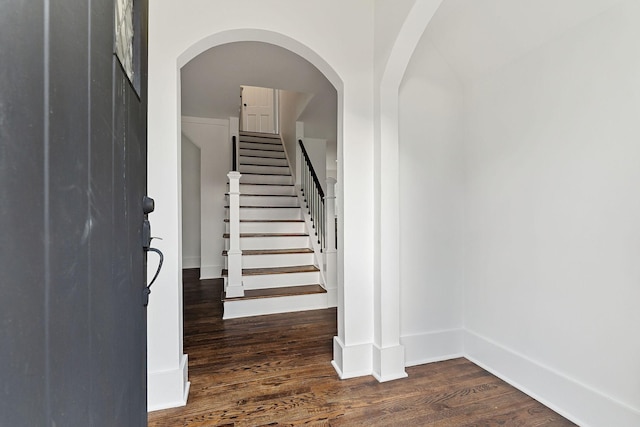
(431, 347)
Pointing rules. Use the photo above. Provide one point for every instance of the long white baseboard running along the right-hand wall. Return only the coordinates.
(575, 401)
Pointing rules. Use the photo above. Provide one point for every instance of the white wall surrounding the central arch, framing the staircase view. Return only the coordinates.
(343, 51)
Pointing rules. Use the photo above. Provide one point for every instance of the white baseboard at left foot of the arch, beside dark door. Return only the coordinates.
(168, 389)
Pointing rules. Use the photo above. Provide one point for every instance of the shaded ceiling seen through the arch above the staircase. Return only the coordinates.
(211, 83)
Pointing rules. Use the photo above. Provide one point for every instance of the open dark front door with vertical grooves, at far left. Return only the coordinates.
(72, 181)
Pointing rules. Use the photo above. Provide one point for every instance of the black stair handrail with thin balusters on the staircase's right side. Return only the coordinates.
(313, 196)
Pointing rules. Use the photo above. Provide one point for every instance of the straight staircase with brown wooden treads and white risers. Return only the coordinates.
(279, 268)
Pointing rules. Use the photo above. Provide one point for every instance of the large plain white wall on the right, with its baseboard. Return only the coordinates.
(552, 225)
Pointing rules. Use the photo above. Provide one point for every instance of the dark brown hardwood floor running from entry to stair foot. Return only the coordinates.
(276, 371)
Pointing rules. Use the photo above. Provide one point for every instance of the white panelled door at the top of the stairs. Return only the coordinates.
(258, 109)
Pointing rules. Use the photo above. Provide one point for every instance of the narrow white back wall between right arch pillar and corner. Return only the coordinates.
(431, 207)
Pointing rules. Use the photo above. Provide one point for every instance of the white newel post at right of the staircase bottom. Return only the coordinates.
(330, 252)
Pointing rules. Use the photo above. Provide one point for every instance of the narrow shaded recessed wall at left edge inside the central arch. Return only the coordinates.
(190, 204)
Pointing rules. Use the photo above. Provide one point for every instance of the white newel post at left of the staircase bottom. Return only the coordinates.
(234, 254)
